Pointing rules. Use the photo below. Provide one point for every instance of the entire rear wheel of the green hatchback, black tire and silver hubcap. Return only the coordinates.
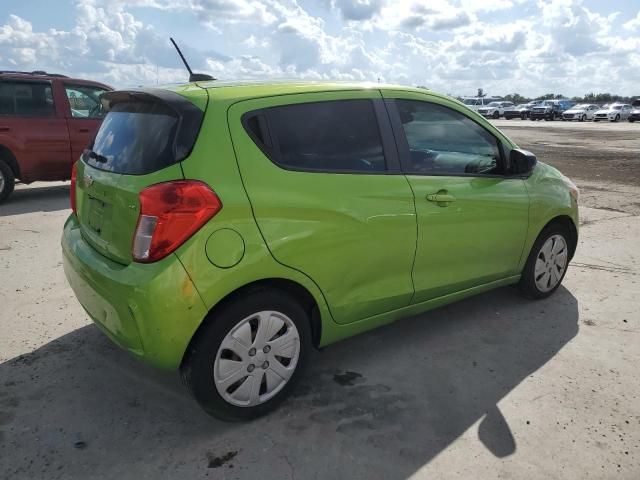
(247, 358)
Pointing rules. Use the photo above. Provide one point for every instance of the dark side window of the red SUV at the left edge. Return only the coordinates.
(26, 99)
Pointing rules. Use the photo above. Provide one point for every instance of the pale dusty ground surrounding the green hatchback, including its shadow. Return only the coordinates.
(495, 386)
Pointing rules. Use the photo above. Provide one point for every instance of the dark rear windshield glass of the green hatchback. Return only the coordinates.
(135, 138)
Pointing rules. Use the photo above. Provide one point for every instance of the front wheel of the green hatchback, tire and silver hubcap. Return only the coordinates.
(547, 263)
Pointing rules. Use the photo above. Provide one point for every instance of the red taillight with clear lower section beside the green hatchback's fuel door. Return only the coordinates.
(169, 214)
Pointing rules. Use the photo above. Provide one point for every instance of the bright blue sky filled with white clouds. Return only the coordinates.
(454, 46)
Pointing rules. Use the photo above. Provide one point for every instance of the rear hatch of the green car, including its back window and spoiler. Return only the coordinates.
(142, 140)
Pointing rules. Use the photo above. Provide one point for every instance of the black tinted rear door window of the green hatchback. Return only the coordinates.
(327, 136)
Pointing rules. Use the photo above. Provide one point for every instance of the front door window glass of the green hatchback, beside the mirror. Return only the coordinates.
(442, 141)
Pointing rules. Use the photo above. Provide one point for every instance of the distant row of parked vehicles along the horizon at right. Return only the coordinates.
(565, 110)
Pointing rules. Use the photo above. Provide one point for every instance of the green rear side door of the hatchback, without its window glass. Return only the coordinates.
(352, 233)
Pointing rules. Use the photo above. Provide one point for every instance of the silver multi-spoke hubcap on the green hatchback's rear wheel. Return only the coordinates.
(257, 358)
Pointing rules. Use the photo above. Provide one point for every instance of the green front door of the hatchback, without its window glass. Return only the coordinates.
(475, 239)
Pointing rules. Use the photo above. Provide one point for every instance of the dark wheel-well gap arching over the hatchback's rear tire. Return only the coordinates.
(293, 289)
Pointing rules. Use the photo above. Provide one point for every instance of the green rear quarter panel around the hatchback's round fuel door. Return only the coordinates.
(213, 162)
